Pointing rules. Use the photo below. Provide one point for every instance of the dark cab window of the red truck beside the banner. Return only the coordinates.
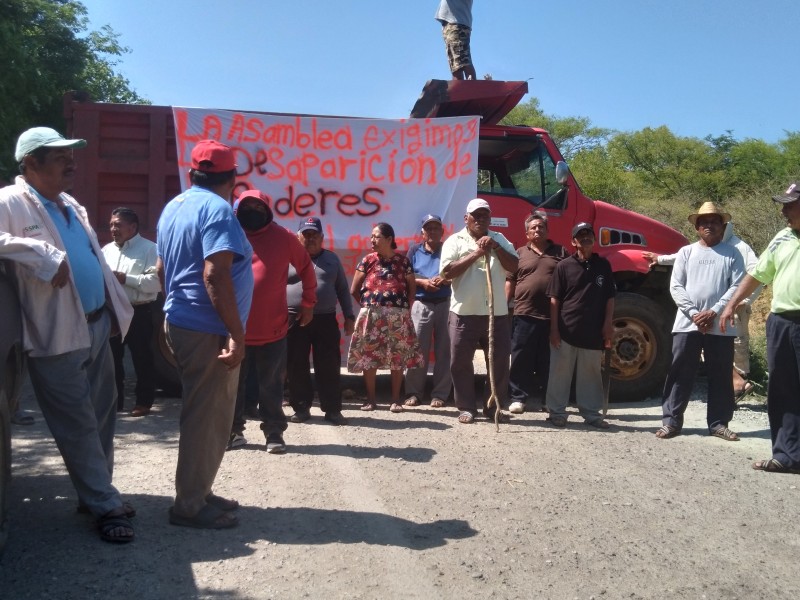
(518, 166)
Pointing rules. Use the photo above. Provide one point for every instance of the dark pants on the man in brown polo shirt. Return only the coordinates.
(530, 358)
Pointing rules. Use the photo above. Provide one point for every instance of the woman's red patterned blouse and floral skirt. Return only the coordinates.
(384, 336)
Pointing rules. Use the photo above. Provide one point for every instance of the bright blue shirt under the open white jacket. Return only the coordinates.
(83, 262)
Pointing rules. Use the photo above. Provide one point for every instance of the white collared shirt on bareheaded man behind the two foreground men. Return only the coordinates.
(137, 259)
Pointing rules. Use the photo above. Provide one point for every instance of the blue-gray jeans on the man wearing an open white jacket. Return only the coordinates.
(77, 394)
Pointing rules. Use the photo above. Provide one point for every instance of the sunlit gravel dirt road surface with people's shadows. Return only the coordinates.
(418, 506)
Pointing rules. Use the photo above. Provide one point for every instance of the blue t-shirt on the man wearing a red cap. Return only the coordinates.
(193, 226)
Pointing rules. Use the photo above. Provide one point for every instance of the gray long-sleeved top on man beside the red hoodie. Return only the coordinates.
(331, 286)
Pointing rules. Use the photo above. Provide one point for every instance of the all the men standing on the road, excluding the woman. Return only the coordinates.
(82, 306)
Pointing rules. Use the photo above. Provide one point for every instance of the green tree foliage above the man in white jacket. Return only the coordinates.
(46, 50)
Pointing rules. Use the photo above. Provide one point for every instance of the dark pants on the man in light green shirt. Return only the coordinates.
(783, 391)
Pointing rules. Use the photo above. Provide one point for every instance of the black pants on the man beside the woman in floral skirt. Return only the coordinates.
(321, 336)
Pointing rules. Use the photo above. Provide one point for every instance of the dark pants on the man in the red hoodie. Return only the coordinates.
(270, 364)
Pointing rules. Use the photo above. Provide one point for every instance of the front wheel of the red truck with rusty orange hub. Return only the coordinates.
(641, 350)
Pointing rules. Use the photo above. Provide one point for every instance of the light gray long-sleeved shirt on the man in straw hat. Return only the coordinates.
(704, 278)
